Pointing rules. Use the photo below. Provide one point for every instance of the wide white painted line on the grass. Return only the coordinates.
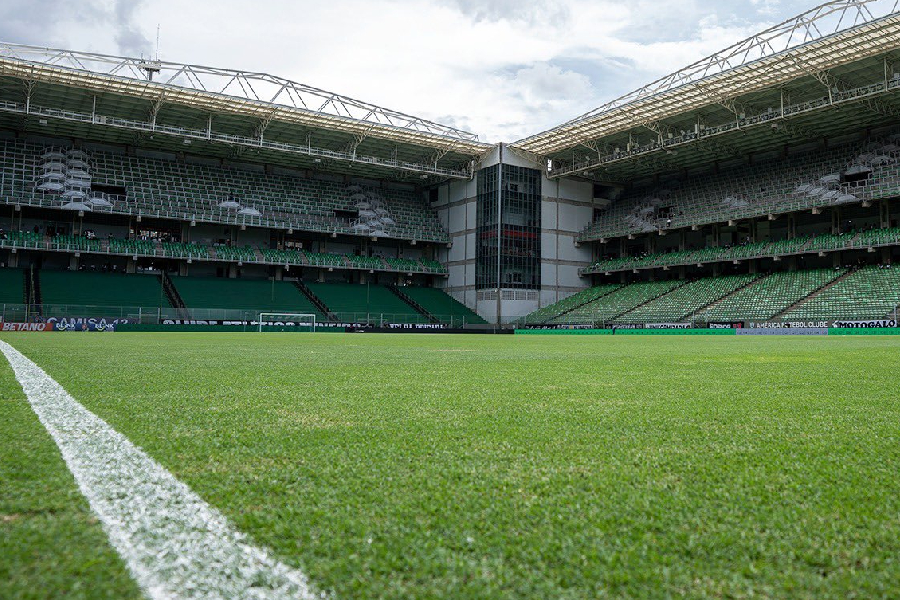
(174, 543)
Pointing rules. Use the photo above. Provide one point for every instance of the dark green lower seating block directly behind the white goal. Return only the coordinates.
(243, 294)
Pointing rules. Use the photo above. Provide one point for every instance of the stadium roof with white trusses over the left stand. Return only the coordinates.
(62, 92)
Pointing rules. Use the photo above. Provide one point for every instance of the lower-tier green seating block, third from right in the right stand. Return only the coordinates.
(683, 301)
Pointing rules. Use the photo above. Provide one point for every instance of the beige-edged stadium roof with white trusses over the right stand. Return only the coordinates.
(831, 60)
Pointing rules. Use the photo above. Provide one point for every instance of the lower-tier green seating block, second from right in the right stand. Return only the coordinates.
(769, 296)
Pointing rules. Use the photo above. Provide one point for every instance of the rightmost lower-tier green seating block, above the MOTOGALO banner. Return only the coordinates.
(869, 293)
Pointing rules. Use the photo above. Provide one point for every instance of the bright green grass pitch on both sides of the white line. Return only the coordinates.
(420, 466)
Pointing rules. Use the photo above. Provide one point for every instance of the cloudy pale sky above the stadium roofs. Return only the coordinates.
(503, 69)
